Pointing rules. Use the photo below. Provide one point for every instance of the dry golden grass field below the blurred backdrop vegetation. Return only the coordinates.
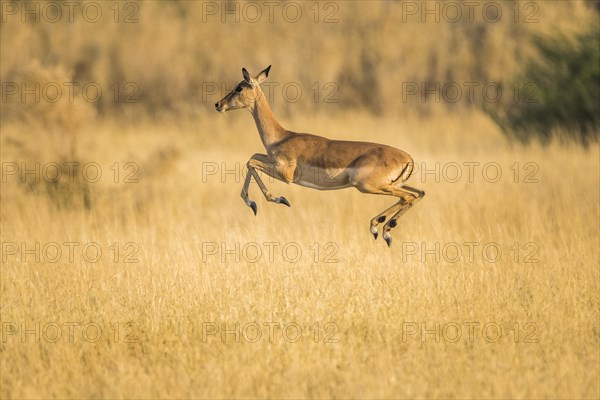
(156, 280)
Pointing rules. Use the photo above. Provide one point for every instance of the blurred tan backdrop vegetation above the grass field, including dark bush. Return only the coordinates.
(164, 59)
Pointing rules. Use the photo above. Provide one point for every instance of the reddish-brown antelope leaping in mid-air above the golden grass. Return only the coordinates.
(320, 163)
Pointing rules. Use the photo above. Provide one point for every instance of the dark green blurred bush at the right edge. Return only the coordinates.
(563, 91)
